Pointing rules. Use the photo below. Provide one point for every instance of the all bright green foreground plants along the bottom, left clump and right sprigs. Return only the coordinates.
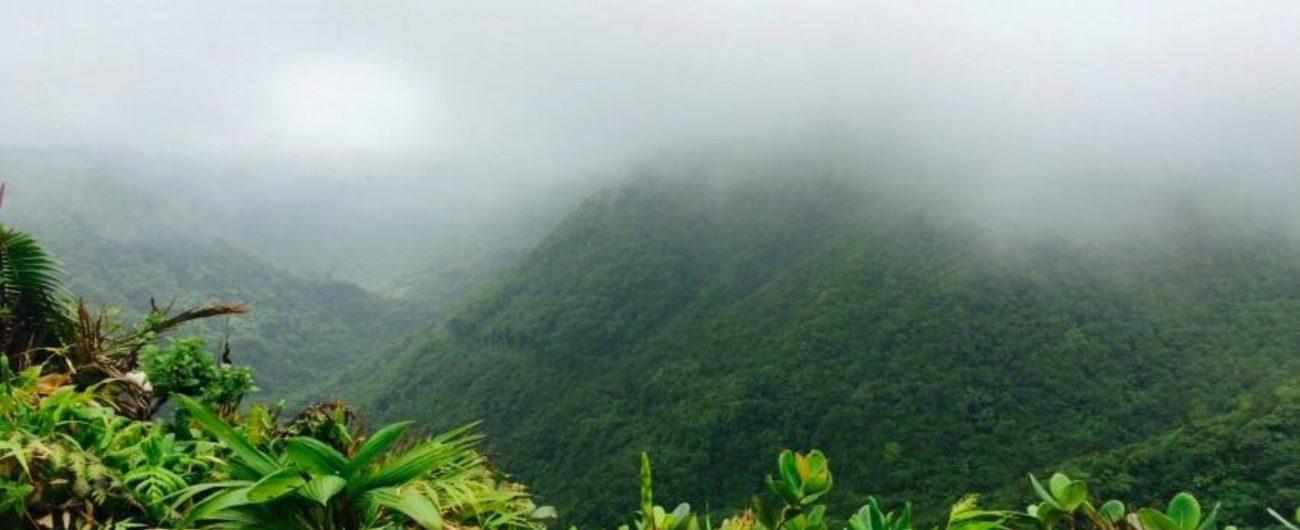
(120, 427)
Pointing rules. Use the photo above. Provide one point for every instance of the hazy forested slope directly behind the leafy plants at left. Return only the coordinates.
(129, 246)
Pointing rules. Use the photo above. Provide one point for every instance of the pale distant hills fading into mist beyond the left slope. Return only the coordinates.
(410, 236)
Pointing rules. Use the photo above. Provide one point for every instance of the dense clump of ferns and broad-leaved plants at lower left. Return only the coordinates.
(84, 445)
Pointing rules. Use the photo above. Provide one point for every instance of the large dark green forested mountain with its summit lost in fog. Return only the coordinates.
(716, 327)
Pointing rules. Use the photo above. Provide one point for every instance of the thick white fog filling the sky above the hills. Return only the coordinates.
(1026, 114)
